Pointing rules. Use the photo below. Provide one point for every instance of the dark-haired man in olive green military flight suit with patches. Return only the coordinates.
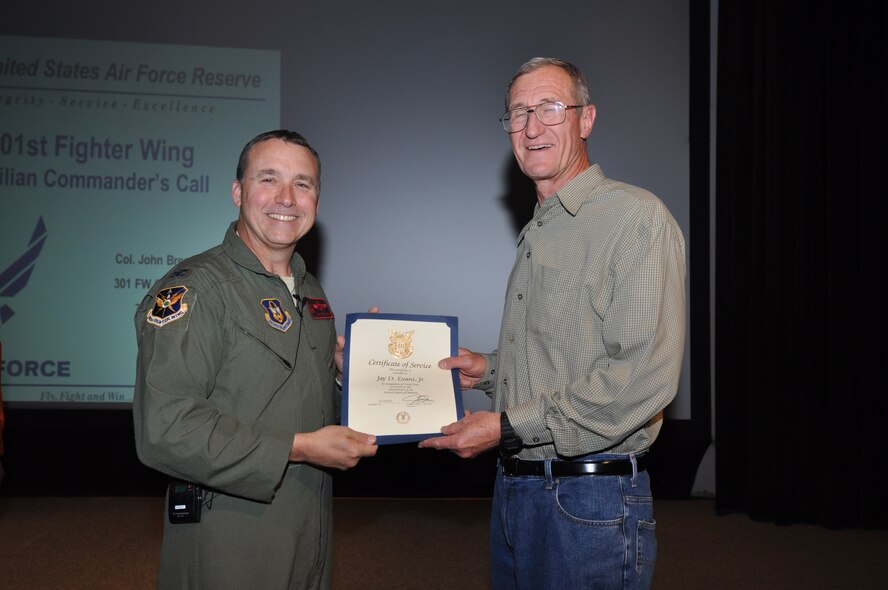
(236, 391)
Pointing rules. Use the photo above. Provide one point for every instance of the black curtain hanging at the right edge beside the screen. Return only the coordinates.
(800, 220)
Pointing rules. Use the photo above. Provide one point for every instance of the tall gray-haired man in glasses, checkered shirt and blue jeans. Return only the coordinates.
(589, 355)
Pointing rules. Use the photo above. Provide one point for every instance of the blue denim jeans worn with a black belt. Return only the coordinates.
(591, 531)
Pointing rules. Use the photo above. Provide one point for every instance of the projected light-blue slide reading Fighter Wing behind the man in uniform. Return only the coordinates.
(116, 161)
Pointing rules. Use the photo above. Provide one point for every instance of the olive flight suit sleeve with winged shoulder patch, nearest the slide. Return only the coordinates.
(182, 345)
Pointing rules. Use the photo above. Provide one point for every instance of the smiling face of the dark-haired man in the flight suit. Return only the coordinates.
(278, 201)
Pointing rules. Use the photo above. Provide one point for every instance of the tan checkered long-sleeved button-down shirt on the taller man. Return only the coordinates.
(593, 329)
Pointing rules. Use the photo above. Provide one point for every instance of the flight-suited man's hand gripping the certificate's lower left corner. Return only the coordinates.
(339, 447)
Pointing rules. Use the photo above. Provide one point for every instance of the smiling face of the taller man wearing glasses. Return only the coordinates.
(550, 155)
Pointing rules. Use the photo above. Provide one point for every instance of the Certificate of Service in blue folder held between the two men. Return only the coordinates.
(391, 384)
